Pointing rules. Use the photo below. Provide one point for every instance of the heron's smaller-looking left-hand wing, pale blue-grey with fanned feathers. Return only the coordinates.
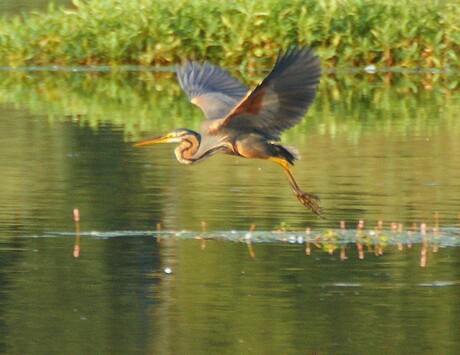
(210, 88)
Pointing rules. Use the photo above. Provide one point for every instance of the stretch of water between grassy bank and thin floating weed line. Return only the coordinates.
(381, 146)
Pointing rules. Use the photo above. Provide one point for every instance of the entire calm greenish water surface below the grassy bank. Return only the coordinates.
(371, 151)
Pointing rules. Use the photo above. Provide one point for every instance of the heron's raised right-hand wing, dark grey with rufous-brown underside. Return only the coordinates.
(282, 98)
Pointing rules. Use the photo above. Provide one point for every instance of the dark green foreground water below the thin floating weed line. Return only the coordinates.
(117, 298)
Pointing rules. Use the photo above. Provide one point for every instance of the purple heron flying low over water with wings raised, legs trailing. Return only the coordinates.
(248, 123)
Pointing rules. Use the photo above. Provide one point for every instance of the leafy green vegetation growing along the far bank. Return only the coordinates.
(234, 33)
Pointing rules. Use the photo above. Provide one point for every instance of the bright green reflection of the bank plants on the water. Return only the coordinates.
(152, 101)
